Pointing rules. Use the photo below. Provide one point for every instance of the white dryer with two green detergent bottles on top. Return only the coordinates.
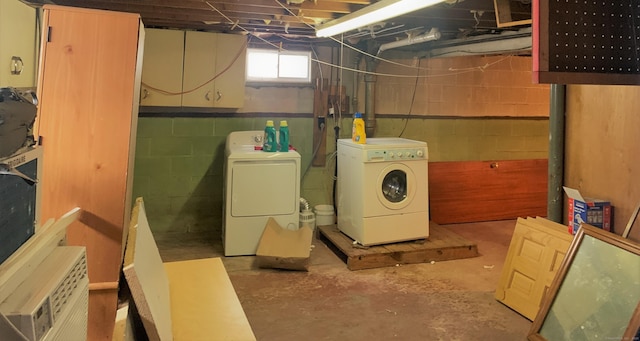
(258, 185)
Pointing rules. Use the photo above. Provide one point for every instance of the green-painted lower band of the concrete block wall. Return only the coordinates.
(179, 161)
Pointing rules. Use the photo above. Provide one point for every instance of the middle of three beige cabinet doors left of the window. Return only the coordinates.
(199, 69)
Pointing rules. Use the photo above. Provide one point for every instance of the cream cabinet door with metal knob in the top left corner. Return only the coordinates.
(18, 44)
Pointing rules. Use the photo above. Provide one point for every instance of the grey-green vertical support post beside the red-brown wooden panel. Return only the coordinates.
(556, 153)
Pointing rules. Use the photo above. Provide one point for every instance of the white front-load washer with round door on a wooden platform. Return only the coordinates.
(382, 194)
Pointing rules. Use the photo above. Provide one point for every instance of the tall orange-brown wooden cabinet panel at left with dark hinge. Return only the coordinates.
(88, 87)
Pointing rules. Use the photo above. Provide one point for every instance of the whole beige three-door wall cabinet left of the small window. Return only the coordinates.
(211, 69)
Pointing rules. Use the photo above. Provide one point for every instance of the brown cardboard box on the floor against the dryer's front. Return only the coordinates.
(284, 249)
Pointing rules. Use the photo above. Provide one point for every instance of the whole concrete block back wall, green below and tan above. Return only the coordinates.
(179, 160)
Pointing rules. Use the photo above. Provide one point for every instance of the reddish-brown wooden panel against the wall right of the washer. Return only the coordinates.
(461, 192)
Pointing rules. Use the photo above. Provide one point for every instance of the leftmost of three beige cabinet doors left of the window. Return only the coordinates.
(162, 68)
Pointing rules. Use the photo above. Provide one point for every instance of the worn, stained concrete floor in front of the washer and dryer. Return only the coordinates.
(450, 300)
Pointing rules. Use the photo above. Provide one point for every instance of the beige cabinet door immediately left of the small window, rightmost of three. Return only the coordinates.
(230, 65)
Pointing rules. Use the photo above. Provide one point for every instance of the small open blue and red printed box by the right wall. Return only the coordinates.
(592, 211)
